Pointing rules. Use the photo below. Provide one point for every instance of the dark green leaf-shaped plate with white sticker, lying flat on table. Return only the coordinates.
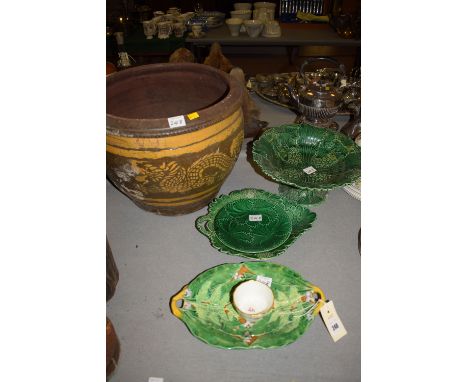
(254, 223)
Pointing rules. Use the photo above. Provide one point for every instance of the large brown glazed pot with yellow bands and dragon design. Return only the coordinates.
(172, 170)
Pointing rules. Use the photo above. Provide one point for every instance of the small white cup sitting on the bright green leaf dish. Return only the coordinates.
(252, 299)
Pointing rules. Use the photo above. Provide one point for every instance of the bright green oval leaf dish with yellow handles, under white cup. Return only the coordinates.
(210, 316)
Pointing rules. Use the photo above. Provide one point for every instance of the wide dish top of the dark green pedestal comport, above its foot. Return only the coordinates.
(286, 153)
